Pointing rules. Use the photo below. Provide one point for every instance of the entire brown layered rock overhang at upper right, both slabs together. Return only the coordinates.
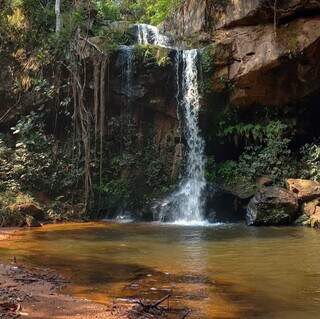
(265, 65)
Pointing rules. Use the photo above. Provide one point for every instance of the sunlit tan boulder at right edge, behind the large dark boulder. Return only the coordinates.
(306, 190)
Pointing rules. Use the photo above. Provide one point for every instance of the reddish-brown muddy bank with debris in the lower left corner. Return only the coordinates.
(35, 293)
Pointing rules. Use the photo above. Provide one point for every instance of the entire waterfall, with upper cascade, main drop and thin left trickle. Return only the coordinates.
(185, 205)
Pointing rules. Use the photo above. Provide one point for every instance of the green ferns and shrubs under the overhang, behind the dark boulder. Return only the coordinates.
(271, 157)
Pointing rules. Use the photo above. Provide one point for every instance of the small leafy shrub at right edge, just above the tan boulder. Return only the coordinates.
(311, 161)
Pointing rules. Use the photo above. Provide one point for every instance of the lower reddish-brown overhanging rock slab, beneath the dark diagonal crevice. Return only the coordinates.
(269, 68)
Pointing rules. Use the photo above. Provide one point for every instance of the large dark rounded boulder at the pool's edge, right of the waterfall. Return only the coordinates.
(272, 206)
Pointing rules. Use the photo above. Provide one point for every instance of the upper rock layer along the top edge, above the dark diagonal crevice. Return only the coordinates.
(208, 15)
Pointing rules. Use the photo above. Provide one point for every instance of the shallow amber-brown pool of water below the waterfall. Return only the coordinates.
(219, 271)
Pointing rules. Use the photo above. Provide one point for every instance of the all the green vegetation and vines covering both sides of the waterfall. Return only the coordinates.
(103, 162)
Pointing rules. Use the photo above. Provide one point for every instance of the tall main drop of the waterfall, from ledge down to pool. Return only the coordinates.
(185, 205)
